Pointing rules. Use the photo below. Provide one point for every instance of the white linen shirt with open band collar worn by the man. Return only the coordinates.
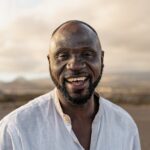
(42, 125)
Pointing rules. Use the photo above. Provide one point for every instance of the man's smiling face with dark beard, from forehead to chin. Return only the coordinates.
(75, 63)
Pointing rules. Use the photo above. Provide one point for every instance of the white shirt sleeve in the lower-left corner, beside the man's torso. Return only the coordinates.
(5, 138)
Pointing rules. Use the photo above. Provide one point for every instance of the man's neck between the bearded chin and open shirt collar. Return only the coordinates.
(79, 112)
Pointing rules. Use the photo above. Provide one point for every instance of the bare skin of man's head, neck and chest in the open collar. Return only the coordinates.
(75, 51)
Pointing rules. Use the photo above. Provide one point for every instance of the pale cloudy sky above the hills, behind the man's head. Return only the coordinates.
(26, 26)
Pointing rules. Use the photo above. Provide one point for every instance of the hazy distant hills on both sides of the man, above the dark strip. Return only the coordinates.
(120, 86)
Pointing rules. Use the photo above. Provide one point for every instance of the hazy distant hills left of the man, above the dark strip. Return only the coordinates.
(22, 86)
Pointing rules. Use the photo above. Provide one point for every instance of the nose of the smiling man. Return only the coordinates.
(76, 63)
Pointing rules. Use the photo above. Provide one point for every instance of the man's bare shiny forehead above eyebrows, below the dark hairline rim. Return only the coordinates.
(74, 36)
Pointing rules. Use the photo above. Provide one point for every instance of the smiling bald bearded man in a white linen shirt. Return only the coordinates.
(72, 116)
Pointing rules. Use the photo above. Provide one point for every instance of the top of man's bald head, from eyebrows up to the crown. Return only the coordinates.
(73, 33)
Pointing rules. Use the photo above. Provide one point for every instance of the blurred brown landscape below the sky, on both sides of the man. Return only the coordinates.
(130, 90)
